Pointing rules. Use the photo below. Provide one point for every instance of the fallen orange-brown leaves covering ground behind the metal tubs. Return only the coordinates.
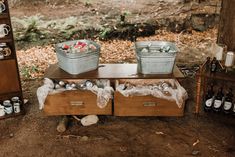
(194, 48)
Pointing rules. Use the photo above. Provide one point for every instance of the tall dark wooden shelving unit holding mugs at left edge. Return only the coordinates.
(10, 85)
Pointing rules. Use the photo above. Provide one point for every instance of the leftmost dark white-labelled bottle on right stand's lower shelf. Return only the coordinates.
(209, 98)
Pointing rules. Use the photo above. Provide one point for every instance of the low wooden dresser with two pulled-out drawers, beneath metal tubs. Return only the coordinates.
(84, 102)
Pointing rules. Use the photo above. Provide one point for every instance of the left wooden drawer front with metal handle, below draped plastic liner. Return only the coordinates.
(75, 103)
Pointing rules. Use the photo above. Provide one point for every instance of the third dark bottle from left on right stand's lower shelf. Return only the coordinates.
(228, 102)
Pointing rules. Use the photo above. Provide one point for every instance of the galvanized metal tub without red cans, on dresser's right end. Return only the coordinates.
(155, 57)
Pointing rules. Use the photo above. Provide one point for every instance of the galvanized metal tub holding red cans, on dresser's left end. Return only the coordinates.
(76, 63)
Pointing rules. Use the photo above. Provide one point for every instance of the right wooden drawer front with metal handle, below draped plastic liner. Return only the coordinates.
(145, 106)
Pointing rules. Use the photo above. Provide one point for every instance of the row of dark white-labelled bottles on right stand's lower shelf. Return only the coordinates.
(219, 101)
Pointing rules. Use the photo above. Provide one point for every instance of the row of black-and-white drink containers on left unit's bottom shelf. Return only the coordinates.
(8, 107)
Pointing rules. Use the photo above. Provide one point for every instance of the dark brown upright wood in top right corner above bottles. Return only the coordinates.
(226, 33)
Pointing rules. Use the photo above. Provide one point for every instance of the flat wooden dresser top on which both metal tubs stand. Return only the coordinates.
(110, 71)
